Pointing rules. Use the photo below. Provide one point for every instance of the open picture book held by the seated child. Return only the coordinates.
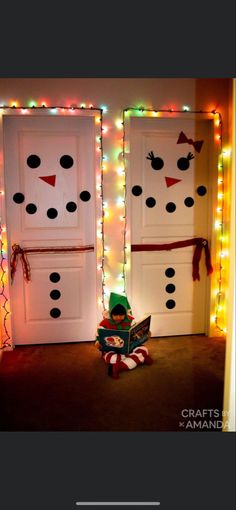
(123, 341)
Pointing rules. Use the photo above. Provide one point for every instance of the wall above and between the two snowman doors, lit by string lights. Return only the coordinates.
(117, 94)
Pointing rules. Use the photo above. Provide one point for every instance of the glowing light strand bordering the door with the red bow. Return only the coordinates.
(184, 111)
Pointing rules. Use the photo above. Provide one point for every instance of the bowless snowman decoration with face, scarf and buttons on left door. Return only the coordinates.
(50, 203)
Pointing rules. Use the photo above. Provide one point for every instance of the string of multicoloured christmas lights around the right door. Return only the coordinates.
(220, 207)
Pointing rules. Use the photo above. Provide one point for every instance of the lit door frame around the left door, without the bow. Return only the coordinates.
(47, 111)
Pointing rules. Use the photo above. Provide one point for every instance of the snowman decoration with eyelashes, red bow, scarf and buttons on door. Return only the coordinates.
(183, 197)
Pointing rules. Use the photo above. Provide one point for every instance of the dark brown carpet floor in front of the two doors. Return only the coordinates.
(65, 387)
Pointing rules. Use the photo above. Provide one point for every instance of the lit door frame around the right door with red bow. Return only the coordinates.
(215, 149)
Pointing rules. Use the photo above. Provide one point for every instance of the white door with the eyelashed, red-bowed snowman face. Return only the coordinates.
(168, 186)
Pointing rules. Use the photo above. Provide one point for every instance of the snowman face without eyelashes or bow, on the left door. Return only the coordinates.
(51, 175)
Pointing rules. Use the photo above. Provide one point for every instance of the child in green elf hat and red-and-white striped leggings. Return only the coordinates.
(120, 317)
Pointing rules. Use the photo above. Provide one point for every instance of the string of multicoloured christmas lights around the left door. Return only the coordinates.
(53, 109)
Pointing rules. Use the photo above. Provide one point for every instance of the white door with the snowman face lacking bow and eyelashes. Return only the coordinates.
(50, 198)
